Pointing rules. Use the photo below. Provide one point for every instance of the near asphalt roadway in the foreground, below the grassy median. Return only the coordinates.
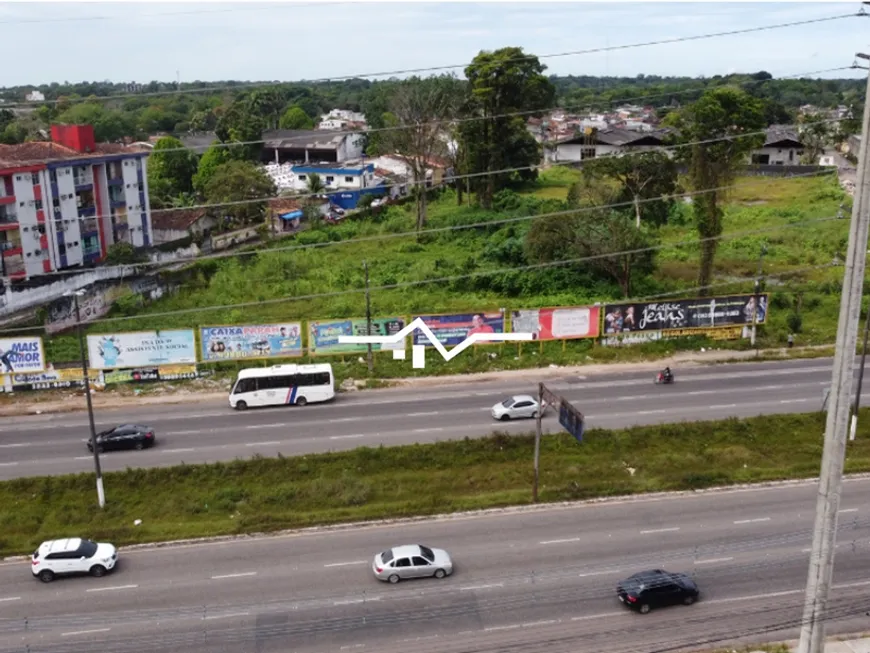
(541, 580)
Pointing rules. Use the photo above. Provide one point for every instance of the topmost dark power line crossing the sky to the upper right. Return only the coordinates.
(415, 71)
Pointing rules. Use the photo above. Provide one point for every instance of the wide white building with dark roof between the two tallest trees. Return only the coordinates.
(594, 143)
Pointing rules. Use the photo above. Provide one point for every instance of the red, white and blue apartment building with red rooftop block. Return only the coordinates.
(63, 203)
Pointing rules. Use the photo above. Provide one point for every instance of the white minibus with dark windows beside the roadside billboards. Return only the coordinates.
(282, 385)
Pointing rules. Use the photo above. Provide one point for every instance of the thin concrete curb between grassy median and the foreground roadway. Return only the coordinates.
(472, 514)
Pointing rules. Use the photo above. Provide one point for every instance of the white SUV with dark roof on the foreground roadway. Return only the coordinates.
(72, 556)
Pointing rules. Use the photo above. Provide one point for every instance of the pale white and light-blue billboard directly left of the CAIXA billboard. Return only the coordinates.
(141, 349)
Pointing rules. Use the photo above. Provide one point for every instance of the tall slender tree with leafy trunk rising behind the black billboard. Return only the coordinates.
(715, 133)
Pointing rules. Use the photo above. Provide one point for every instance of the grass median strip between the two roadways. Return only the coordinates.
(268, 494)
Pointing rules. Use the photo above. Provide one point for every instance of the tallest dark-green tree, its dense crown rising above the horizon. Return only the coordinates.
(507, 81)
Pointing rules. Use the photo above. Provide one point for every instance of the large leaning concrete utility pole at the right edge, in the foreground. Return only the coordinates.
(812, 639)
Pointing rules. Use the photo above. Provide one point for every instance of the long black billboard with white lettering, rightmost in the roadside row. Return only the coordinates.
(705, 313)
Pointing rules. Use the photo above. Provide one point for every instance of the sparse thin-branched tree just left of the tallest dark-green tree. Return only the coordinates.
(420, 112)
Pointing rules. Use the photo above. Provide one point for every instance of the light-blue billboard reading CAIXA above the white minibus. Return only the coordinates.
(228, 343)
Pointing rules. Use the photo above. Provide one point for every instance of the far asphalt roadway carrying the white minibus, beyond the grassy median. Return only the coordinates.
(211, 431)
